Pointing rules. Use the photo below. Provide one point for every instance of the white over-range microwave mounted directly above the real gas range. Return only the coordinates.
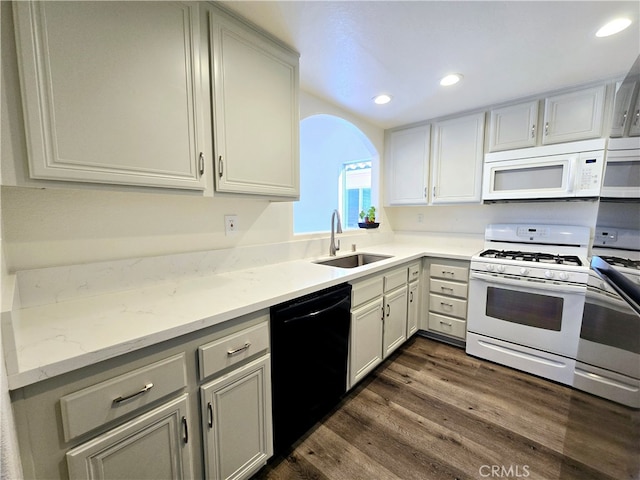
(570, 170)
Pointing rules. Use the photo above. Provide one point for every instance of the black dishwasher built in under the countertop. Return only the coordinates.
(309, 355)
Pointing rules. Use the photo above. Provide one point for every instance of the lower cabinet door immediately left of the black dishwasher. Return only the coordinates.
(236, 411)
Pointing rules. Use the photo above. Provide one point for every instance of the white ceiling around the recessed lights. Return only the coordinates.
(353, 50)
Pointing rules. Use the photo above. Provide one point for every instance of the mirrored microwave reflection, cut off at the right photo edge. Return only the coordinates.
(622, 171)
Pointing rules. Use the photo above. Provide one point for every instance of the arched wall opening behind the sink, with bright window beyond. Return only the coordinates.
(337, 171)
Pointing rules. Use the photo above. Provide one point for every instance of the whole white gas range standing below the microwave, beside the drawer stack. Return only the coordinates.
(526, 294)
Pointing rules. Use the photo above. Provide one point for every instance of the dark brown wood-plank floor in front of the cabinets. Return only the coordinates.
(432, 412)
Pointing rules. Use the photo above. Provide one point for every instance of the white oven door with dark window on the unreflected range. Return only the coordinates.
(543, 315)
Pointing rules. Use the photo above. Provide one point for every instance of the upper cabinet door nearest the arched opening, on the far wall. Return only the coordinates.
(408, 166)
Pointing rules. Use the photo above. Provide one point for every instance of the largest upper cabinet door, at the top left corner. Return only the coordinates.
(110, 92)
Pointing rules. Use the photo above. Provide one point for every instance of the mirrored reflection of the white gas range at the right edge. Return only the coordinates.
(608, 358)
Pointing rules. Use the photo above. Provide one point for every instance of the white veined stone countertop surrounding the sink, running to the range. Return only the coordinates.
(56, 338)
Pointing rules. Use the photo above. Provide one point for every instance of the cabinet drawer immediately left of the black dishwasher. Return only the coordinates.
(232, 349)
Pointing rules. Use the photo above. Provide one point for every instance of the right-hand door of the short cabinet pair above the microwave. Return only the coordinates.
(574, 116)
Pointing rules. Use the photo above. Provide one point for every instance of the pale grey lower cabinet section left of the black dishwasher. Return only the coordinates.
(136, 416)
